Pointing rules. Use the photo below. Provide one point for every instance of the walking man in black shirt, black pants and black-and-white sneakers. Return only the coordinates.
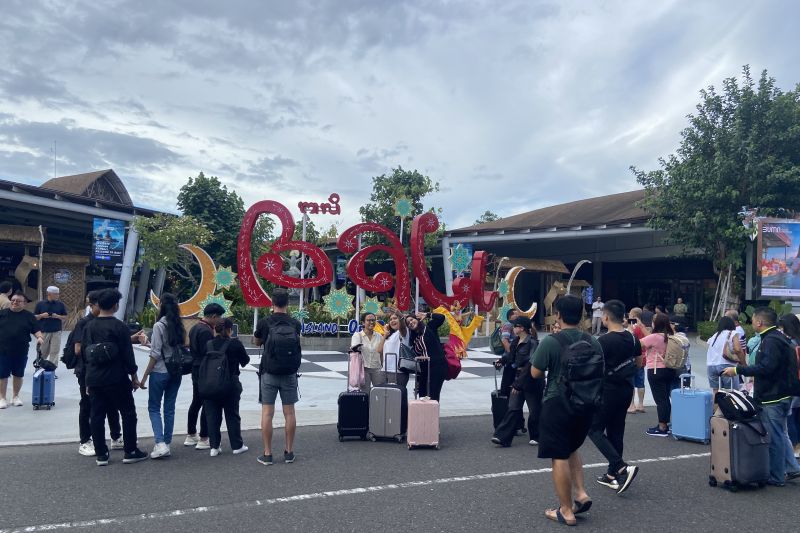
(623, 357)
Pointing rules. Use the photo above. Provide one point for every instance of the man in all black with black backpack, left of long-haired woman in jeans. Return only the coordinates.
(106, 346)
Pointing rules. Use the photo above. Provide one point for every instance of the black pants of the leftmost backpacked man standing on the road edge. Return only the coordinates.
(117, 397)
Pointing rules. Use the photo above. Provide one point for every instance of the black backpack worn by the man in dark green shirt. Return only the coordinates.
(582, 372)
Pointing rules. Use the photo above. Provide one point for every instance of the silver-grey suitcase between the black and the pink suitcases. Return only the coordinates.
(388, 411)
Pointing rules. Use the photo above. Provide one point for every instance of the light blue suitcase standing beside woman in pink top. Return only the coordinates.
(691, 412)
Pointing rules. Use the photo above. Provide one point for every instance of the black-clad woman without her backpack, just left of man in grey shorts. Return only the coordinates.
(236, 356)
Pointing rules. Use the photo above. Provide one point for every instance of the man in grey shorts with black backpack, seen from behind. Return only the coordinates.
(279, 334)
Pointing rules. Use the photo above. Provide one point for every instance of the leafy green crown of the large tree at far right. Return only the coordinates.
(741, 148)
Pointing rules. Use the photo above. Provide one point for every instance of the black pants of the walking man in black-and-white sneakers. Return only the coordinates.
(608, 425)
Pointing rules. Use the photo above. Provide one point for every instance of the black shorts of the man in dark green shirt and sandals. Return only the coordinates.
(560, 432)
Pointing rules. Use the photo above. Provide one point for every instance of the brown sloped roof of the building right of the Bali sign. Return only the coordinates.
(613, 209)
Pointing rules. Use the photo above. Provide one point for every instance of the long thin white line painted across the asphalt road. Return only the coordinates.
(118, 521)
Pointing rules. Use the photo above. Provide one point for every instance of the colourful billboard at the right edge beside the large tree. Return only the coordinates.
(779, 258)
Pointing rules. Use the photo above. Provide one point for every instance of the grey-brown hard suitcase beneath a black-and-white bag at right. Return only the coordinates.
(739, 453)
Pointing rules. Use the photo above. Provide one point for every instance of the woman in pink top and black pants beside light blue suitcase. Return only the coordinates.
(659, 377)
